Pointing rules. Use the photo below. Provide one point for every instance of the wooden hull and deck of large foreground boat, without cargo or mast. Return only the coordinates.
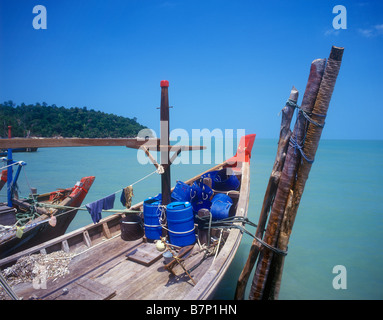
(105, 266)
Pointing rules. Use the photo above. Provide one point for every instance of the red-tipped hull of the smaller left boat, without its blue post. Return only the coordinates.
(24, 225)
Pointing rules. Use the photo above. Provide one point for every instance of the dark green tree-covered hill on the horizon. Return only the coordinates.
(49, 121)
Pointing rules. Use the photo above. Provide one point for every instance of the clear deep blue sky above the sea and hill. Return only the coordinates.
(230, 64)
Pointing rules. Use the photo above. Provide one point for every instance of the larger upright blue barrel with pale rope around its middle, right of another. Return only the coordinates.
(180, 220)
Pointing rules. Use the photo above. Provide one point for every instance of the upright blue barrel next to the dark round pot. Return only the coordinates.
(152, 214)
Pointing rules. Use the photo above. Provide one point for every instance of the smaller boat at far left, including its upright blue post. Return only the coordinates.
(23, 224)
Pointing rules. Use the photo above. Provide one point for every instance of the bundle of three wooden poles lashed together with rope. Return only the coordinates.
(295, 155)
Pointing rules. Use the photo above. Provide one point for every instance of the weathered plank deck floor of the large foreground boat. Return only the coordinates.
(106, 272)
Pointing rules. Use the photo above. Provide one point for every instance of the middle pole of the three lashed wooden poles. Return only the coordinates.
(286, 181)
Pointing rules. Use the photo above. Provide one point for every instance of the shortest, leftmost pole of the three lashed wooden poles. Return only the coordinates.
(284, 136)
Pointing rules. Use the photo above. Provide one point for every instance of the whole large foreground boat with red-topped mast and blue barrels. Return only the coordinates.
(119, 258)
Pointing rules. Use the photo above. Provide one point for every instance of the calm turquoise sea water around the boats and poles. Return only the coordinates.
(339, 220)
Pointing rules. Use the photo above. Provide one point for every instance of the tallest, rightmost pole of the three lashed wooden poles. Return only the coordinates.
(310, 147)
